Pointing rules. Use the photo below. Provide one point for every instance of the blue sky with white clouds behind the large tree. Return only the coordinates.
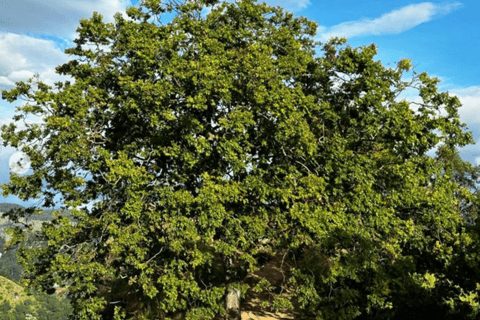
(442, 38)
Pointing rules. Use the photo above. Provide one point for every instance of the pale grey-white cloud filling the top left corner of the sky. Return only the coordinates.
(54, 17)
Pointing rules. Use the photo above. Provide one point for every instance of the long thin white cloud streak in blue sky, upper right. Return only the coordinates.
(393, 22)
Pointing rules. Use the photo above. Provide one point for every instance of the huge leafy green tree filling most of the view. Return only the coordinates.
(205, 142)
